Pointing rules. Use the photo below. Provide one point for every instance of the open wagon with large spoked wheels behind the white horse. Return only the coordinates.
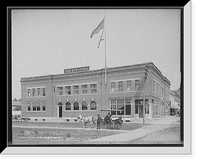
(116, 124)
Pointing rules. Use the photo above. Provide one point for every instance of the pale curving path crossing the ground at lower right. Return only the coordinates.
(154, 125)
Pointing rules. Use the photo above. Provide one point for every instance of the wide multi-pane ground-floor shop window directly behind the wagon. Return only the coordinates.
(121, 107)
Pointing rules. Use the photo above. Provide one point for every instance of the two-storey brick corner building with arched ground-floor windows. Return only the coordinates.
(91, 92)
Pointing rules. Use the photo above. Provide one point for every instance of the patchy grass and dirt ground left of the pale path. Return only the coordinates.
(60, 133)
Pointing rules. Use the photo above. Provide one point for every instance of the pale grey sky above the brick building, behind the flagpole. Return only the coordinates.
(46, 42)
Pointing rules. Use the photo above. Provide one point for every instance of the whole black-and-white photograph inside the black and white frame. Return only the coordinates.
(96, 77)
